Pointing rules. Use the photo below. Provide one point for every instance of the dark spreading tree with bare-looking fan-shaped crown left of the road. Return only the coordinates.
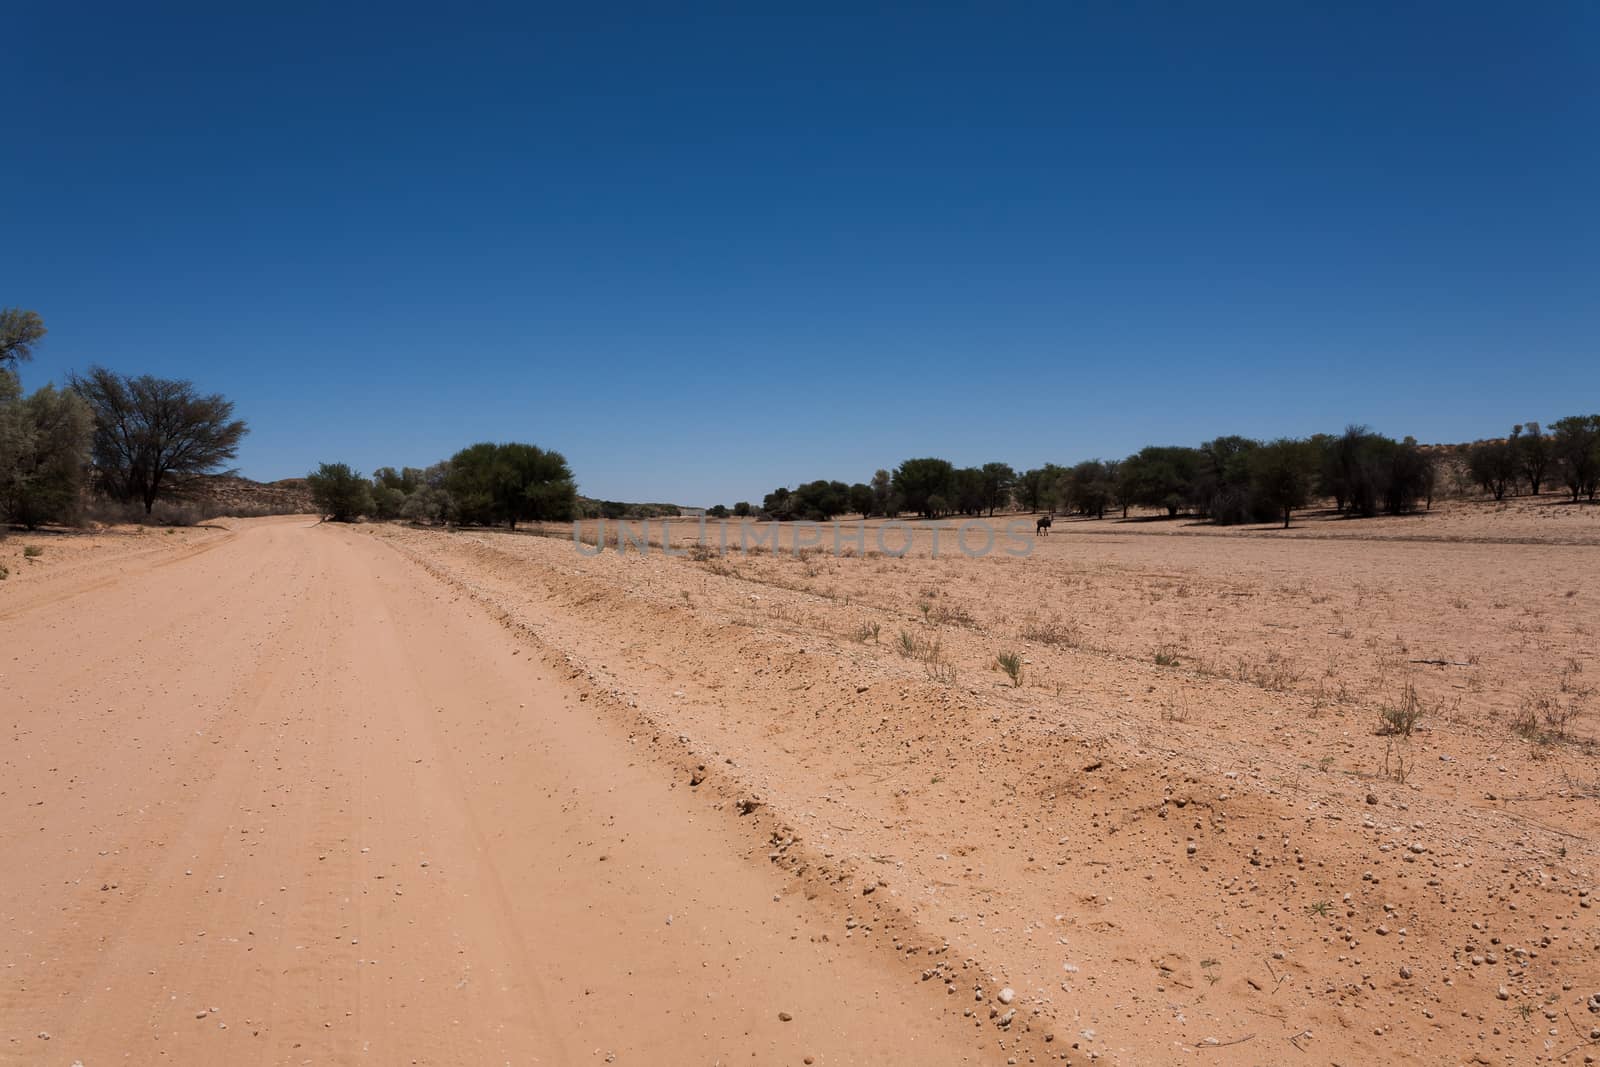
(153, 430)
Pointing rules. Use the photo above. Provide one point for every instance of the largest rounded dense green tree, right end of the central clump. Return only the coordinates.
(510, 484)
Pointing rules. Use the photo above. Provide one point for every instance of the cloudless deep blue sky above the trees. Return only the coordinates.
(706, 252)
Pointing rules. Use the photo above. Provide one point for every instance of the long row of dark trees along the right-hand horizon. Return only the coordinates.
(1226, 481)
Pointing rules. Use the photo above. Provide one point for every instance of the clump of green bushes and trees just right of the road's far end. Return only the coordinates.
(482, 486)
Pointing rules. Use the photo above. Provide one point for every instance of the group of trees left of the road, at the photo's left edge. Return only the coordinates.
(126, 439)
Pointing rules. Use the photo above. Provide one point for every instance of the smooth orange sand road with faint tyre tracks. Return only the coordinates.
(279, 796)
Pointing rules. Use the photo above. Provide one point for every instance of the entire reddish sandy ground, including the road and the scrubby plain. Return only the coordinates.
(1153, 793)
